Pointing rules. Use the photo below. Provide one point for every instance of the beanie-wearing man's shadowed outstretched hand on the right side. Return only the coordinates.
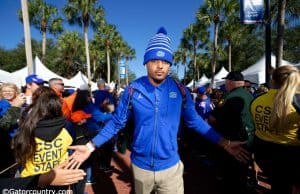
(235, 148)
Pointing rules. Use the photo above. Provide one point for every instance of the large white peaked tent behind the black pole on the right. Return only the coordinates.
(256, 72)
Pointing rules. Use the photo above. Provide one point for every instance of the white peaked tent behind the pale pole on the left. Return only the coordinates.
(40, 69)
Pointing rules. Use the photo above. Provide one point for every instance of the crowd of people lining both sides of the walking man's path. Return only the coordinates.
(40, 121)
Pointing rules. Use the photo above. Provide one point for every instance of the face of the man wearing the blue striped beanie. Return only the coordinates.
(157, 71)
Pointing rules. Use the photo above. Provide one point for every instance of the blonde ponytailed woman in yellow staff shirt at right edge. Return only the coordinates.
(277, 120)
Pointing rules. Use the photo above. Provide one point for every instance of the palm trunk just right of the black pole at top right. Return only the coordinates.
(280, 31)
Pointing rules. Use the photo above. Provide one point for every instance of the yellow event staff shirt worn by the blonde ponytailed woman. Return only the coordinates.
(261, 109)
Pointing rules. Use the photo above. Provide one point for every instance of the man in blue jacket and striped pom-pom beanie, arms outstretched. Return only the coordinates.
(156, 103)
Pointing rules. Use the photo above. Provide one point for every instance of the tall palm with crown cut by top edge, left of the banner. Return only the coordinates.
(213, 12)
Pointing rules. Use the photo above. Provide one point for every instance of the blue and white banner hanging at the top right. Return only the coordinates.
(252, 11)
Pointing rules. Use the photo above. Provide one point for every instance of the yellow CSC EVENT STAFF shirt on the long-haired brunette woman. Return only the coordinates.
(48, 154)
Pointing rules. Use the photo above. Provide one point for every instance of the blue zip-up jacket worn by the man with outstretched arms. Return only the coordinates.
(156, 113)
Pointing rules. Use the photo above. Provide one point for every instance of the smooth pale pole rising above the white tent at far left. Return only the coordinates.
(26, 25)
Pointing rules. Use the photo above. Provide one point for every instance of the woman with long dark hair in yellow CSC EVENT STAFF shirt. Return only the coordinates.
(41, 142)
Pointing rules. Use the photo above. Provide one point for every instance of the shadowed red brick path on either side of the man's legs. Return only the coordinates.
(197, 178)
